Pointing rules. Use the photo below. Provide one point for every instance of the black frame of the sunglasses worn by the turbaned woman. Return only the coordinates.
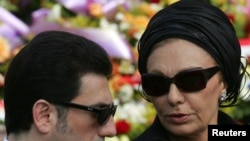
(206, 75)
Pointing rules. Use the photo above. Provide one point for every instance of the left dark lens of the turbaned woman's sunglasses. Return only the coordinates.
(155, 85)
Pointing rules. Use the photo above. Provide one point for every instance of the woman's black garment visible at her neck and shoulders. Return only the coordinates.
(156, 132)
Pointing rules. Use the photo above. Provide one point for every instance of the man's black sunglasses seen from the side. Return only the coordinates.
(103, 113)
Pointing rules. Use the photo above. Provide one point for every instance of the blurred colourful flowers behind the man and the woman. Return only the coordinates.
(116, 25)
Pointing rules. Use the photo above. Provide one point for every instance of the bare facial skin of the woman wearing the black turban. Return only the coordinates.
(185, 113)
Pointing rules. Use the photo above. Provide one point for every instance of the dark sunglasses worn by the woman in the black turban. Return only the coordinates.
(188, 81)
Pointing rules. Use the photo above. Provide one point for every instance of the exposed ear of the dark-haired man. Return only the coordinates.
(44, 115)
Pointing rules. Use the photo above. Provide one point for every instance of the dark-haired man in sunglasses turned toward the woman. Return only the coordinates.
(56, 89)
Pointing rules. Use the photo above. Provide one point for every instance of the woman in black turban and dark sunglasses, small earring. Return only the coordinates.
(190, 63)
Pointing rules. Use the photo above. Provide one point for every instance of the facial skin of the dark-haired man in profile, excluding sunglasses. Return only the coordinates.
(82, 125)
